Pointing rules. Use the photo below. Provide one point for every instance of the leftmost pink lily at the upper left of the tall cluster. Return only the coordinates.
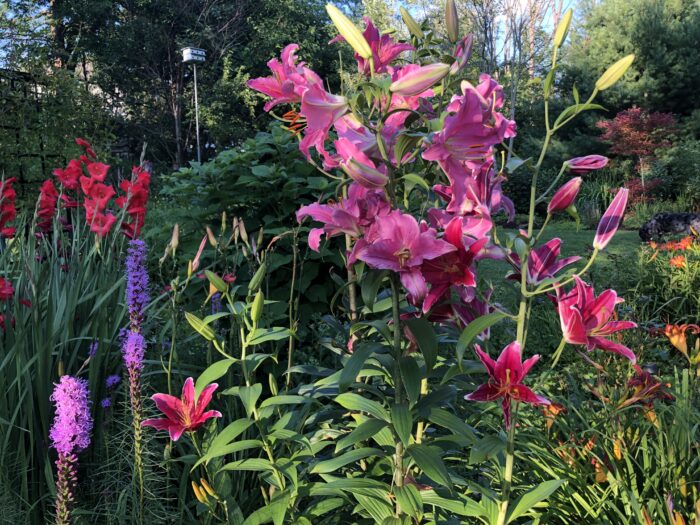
(289, 80)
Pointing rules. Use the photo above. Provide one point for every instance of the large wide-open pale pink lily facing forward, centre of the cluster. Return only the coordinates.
(397, 242)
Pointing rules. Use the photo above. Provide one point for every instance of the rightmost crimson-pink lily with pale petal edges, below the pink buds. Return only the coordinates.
(586, 319)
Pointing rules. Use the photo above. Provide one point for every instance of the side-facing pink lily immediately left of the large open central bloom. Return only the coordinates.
(352, 215)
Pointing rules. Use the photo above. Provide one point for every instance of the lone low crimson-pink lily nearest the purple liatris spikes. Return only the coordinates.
(185, 414)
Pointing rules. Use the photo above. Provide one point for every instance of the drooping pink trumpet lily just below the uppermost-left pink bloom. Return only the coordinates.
(321, 109)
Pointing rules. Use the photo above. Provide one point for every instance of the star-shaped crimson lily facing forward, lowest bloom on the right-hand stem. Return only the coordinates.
(505, 380)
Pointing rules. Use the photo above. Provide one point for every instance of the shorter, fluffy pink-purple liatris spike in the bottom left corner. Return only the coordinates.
(69, 434)
